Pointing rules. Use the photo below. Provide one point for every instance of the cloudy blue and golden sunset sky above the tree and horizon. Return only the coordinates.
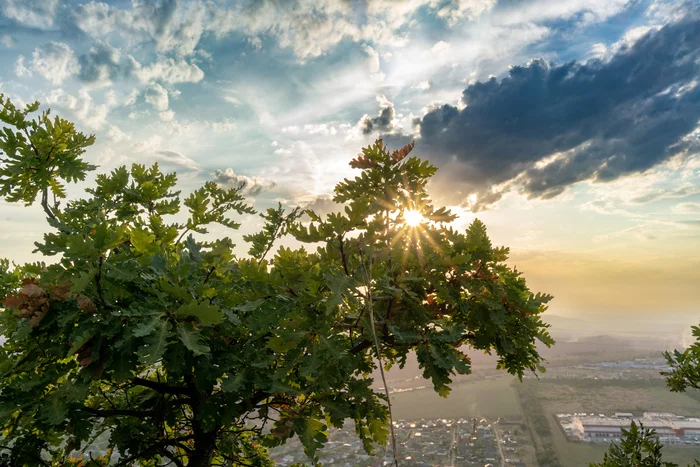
(570, 127)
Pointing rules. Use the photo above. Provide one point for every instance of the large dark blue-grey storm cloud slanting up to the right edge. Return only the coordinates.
(605, 119)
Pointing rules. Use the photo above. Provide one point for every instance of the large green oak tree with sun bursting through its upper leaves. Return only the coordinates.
(181, 351)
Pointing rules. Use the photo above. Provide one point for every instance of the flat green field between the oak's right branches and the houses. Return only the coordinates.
(490, 398)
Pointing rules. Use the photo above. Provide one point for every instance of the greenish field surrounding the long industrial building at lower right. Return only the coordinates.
(549, 397)
